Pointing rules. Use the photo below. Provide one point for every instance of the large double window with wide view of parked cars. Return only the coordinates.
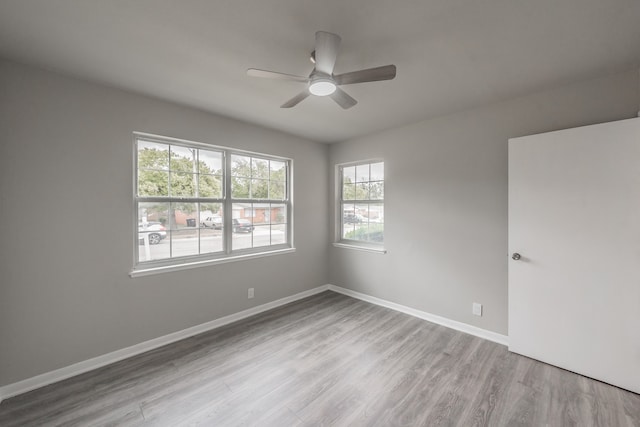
(196, 202)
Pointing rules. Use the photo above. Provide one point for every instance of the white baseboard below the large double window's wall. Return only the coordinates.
(51, 377)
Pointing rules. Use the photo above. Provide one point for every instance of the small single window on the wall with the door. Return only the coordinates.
(362, 204)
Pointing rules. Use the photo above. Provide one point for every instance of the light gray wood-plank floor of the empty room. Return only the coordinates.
(327, 360)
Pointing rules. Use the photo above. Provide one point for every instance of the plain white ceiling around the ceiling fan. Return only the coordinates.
(450, 54)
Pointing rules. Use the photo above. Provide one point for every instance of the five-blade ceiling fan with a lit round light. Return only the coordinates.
(322, 81)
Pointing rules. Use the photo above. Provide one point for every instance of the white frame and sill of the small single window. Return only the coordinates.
(340, 241)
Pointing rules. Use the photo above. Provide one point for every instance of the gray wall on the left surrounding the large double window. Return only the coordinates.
(66, 208)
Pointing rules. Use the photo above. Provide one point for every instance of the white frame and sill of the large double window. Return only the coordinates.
(228, 253)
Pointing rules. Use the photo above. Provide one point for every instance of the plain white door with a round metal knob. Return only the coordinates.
(574, 219)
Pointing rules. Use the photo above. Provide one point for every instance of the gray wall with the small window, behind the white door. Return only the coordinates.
(446, 199)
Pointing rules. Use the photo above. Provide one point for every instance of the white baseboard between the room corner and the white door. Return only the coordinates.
(453, 324)
